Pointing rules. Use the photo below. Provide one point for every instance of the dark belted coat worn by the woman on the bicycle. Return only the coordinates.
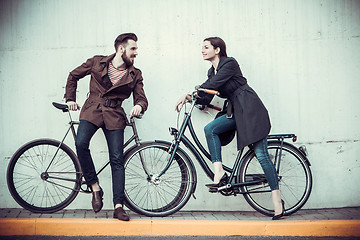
(252, 118)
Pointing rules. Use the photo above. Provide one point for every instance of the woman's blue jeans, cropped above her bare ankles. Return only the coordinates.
(223, 124)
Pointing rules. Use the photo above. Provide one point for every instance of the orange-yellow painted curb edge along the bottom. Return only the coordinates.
(113, 227)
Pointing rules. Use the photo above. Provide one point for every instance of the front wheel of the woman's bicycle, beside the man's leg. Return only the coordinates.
(151, 197)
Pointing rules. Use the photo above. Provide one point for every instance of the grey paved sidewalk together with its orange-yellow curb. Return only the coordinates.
(319, 222)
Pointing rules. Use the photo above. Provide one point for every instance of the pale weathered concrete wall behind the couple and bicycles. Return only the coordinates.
(301, 56)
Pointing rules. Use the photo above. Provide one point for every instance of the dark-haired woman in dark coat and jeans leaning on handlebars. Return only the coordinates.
(245, 113)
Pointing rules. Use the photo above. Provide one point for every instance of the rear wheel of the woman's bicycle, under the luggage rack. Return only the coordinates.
(295, 180)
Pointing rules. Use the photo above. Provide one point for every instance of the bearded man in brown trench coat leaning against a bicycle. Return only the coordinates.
(113, 79)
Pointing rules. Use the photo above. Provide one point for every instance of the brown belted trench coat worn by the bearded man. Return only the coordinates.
(103, 105)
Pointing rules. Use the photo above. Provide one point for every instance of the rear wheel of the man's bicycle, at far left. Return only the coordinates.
(36, 189)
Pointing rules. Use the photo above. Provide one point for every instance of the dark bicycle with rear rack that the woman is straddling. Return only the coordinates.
(161, 177)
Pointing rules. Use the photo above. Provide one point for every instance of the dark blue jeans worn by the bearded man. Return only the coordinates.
(115, 141)
